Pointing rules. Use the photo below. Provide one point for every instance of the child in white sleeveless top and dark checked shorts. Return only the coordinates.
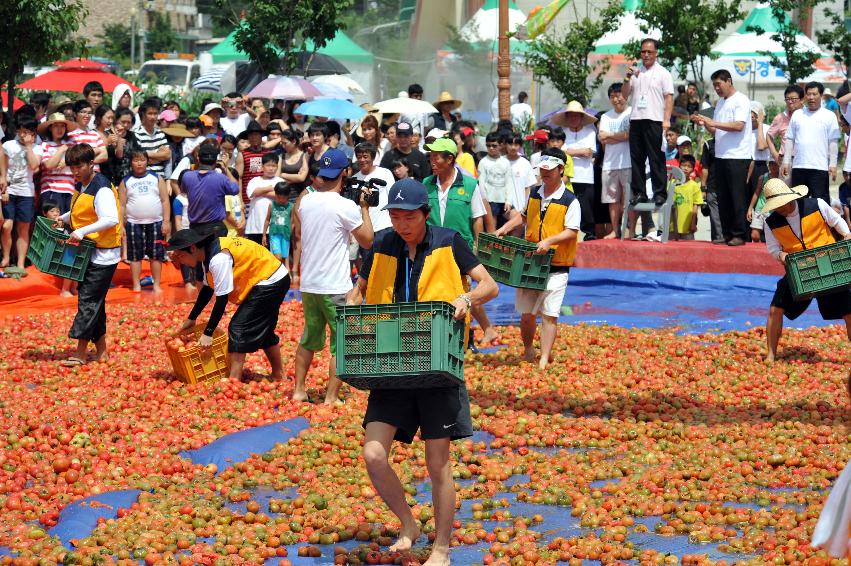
(146, 218)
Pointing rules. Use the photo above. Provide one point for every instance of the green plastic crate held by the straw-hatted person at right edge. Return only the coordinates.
(819, 271)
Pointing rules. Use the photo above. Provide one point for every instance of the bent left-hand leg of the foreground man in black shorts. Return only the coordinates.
(376, 452)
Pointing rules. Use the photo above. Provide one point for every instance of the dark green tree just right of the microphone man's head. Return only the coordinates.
(689, 29)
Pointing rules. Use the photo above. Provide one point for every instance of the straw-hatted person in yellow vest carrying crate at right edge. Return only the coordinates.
(796, 224)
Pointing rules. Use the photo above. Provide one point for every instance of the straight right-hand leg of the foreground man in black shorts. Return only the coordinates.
(442, 497)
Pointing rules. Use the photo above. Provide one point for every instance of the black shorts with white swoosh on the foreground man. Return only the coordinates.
(441, 412)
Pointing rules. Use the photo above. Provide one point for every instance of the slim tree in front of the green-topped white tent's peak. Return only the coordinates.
(798, 63)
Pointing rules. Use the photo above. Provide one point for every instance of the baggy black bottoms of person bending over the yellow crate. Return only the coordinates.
(252, 326)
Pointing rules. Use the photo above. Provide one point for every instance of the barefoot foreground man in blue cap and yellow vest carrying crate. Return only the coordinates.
(414, 261)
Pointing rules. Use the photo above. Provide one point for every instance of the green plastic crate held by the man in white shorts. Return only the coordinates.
(513, 262)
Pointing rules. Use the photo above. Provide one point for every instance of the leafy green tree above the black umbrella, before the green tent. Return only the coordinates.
(272, 31)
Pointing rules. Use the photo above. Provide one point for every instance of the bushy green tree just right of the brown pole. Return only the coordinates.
(564, 61)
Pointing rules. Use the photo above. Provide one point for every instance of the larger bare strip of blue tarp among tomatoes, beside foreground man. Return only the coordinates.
(228, 450)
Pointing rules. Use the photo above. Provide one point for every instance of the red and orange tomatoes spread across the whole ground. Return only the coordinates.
(629, 433)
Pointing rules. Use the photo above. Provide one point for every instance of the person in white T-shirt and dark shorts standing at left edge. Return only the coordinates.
(18, 194)
